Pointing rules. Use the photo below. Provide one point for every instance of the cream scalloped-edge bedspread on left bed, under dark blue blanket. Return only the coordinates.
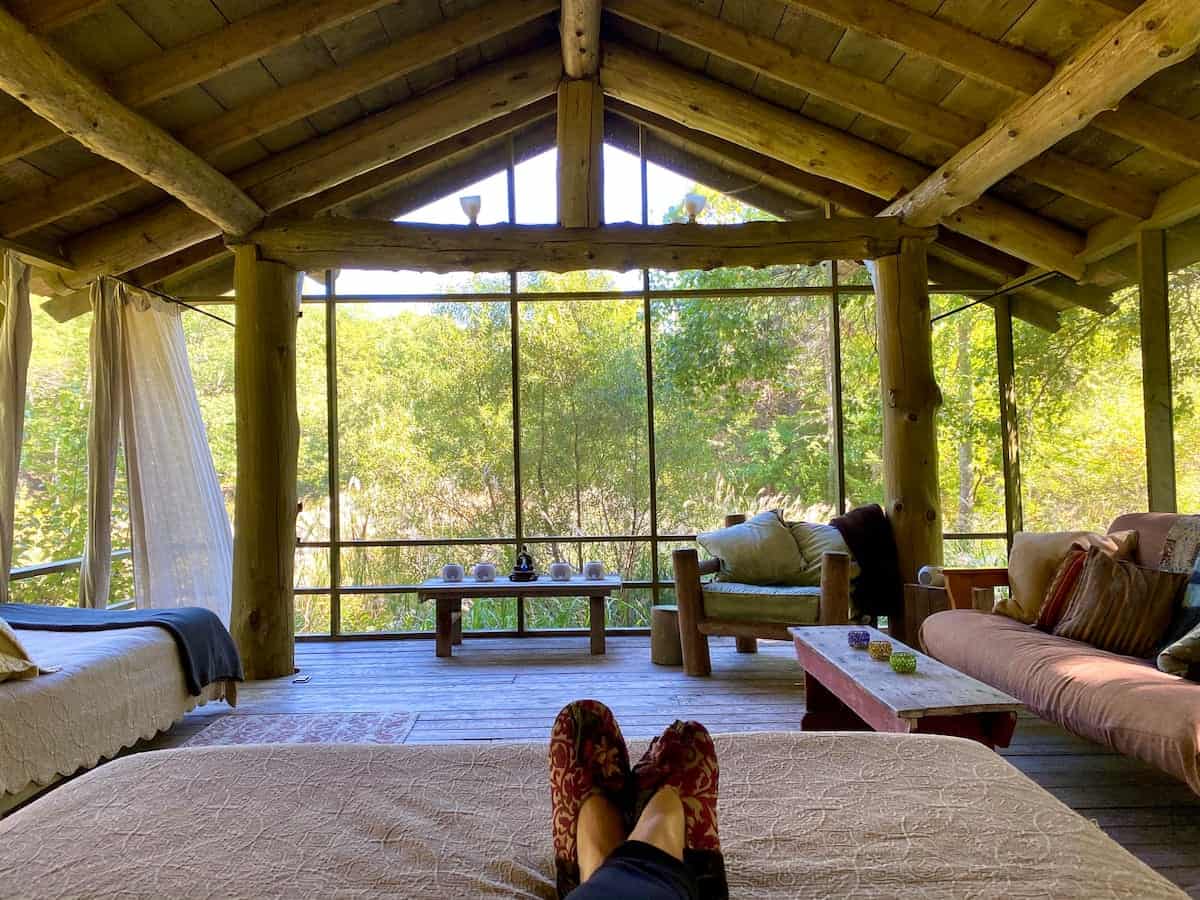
(115, 689)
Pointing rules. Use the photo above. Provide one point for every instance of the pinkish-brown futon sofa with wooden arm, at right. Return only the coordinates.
(1124, 703)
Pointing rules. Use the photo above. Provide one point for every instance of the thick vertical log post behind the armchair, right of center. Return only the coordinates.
(911, 399)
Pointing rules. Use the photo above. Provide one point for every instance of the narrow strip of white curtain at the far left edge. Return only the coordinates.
(16, 344)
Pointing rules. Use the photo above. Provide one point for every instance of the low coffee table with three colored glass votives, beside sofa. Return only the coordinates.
(847, 691)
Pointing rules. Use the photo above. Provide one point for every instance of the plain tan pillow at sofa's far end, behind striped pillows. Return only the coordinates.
(1035, 560)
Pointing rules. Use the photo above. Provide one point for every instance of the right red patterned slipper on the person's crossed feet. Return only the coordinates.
(685, 758)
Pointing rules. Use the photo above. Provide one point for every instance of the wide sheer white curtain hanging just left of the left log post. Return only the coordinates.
(183, 545)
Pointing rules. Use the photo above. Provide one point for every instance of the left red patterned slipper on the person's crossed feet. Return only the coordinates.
(587, 757)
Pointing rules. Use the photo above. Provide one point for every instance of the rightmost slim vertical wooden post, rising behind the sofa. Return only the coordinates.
(1156, 371)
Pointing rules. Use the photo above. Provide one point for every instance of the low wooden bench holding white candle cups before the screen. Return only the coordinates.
(451, 595)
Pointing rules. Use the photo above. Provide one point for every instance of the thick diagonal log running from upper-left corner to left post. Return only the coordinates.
(43, 80)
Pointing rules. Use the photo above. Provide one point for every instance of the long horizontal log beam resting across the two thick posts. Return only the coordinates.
(371, 244)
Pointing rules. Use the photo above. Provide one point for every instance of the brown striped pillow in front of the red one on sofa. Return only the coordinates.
(1121, 608)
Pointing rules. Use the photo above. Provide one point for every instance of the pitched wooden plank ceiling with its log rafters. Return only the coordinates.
(368, 107)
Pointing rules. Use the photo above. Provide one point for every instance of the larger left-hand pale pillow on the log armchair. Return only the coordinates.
(759, 551)
